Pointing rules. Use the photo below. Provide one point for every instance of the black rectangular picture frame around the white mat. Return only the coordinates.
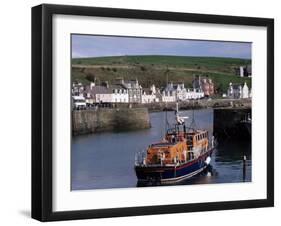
(42, 111)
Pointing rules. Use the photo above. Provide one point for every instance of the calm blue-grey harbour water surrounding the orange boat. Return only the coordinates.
(106, 160)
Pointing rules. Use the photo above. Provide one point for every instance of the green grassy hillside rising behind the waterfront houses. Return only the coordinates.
(155, 69)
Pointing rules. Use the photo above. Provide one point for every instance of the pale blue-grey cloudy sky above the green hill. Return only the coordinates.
(99, 46)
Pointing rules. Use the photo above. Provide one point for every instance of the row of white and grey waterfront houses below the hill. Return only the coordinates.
(132, 92)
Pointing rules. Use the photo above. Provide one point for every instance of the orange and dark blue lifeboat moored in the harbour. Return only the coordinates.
(183, 153)
